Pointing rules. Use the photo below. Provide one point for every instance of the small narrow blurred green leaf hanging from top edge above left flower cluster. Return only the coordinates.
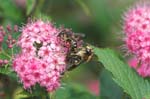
(30, 6)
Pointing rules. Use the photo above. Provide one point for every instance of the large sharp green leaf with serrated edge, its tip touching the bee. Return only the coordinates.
(134, 85)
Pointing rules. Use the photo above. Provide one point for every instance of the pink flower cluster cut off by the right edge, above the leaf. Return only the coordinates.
(137, 31)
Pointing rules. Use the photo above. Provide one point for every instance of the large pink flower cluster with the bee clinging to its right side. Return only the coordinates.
(42, 57)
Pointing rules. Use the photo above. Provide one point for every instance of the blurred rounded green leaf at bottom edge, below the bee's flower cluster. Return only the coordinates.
(73, 91)
